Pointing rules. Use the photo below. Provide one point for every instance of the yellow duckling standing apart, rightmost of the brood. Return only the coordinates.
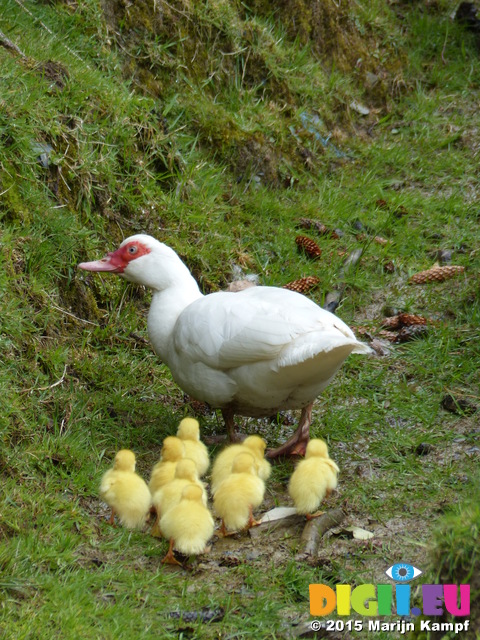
(313, 479)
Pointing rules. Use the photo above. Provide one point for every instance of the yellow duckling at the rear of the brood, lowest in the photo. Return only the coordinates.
(188, 525)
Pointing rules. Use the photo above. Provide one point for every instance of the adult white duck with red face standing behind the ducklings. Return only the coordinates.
(254, 352)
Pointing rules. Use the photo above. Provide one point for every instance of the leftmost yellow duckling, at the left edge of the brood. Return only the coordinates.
(125, 492)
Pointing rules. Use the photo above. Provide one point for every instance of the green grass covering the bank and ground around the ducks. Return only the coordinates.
(208, 131)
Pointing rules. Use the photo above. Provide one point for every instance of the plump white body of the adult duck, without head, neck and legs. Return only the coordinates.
(261, 340)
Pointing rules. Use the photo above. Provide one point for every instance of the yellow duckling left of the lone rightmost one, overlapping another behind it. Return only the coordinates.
(239, 494)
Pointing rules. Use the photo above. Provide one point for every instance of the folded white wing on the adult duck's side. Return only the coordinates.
(226, 330)
